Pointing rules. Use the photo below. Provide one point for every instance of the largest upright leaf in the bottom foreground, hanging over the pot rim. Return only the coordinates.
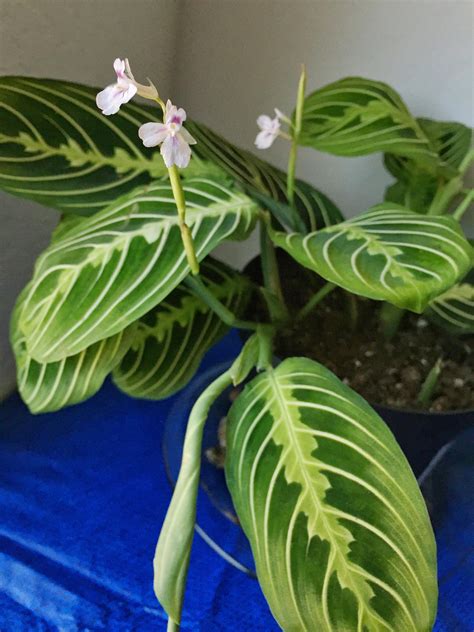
(338, 527)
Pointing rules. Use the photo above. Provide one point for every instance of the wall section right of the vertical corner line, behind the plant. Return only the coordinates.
(238, 59)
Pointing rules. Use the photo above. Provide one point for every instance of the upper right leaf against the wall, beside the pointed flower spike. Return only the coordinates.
(357, 116)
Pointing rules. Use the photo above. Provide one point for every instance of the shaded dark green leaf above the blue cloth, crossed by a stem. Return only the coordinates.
(171, 340)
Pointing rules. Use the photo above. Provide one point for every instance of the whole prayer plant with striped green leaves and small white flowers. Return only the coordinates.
(338, 528)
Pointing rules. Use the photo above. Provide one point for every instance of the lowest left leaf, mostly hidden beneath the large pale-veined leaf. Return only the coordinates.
(45, 387)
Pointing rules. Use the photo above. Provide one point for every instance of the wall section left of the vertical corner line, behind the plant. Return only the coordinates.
(76, 40)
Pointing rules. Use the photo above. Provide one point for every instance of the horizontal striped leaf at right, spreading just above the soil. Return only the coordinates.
(388, 253)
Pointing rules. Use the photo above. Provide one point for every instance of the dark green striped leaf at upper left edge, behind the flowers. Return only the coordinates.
(58, 149)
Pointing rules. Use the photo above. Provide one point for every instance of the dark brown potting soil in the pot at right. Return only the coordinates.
(384, 372)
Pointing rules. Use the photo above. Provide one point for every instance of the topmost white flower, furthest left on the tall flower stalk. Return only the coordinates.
(111, 98)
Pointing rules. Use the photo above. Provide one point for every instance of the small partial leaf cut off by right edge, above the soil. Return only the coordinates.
(454, 310)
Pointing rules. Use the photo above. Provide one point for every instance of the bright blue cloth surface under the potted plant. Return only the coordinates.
(83, 493)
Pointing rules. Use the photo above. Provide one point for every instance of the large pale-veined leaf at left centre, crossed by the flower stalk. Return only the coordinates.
(106, 271)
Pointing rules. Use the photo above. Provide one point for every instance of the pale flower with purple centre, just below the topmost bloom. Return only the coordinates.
(171, 135)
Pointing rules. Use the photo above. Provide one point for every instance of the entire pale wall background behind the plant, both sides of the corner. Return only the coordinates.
(226, 61)
